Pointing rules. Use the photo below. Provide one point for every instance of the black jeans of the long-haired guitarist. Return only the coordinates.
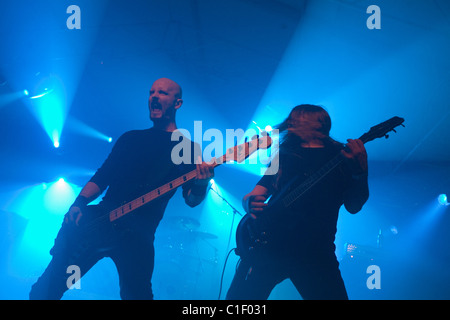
(315, 279)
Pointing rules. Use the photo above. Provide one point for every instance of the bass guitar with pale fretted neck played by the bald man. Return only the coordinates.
(100, 229)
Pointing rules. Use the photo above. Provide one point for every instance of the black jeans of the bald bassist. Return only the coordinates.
(132, 253)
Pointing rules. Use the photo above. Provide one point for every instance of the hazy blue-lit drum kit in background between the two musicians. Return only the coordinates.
(184, 255)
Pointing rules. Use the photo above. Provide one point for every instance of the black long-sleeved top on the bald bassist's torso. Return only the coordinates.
(140, 162)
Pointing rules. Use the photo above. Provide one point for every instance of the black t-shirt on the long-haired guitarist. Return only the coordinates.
(309, 225)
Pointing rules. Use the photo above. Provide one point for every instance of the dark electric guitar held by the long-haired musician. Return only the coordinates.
(254, 236)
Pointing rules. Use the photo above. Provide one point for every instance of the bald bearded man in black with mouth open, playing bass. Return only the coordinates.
(139, 162)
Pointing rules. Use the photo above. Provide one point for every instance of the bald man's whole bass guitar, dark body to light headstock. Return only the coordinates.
(104, 226)
